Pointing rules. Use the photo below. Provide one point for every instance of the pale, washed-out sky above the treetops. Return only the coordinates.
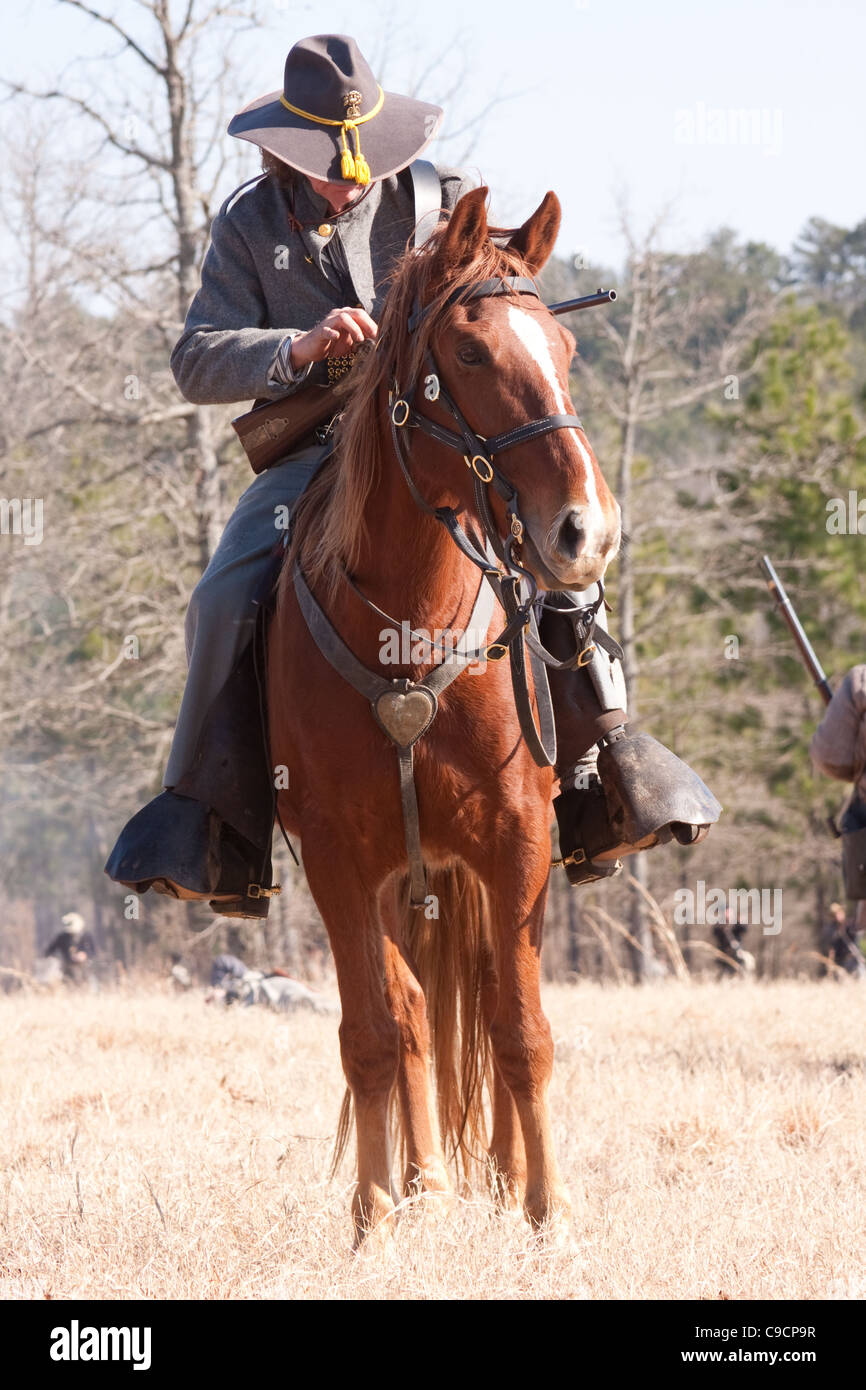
(750, 113)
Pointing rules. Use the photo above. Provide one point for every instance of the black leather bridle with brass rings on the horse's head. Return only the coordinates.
(515, 586)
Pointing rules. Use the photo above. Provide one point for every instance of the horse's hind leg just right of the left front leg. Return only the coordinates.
(426, 1171)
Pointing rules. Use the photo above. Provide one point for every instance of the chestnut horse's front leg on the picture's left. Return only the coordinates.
(369, 1036)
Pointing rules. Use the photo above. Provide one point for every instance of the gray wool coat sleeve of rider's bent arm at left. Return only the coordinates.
(226, 352)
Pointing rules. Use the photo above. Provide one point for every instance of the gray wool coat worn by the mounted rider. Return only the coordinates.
(262, 280)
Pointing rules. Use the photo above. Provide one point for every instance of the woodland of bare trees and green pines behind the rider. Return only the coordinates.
(724, 394)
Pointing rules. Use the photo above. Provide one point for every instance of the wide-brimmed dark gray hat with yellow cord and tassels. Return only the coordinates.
(333, 122)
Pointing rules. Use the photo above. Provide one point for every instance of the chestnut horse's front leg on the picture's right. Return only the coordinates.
(521, 1033)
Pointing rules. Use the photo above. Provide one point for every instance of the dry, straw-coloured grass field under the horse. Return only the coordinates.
(158, 1147)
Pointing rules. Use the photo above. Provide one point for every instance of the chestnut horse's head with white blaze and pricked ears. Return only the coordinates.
(504, 361)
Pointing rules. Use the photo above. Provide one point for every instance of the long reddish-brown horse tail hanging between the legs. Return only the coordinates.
(450, 947)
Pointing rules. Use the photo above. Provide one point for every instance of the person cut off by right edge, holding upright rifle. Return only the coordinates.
(839, 750)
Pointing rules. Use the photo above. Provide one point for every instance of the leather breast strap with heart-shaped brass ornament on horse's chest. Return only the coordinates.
(404, 710)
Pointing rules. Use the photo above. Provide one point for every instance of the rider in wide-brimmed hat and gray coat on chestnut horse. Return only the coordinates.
(298, 273)
